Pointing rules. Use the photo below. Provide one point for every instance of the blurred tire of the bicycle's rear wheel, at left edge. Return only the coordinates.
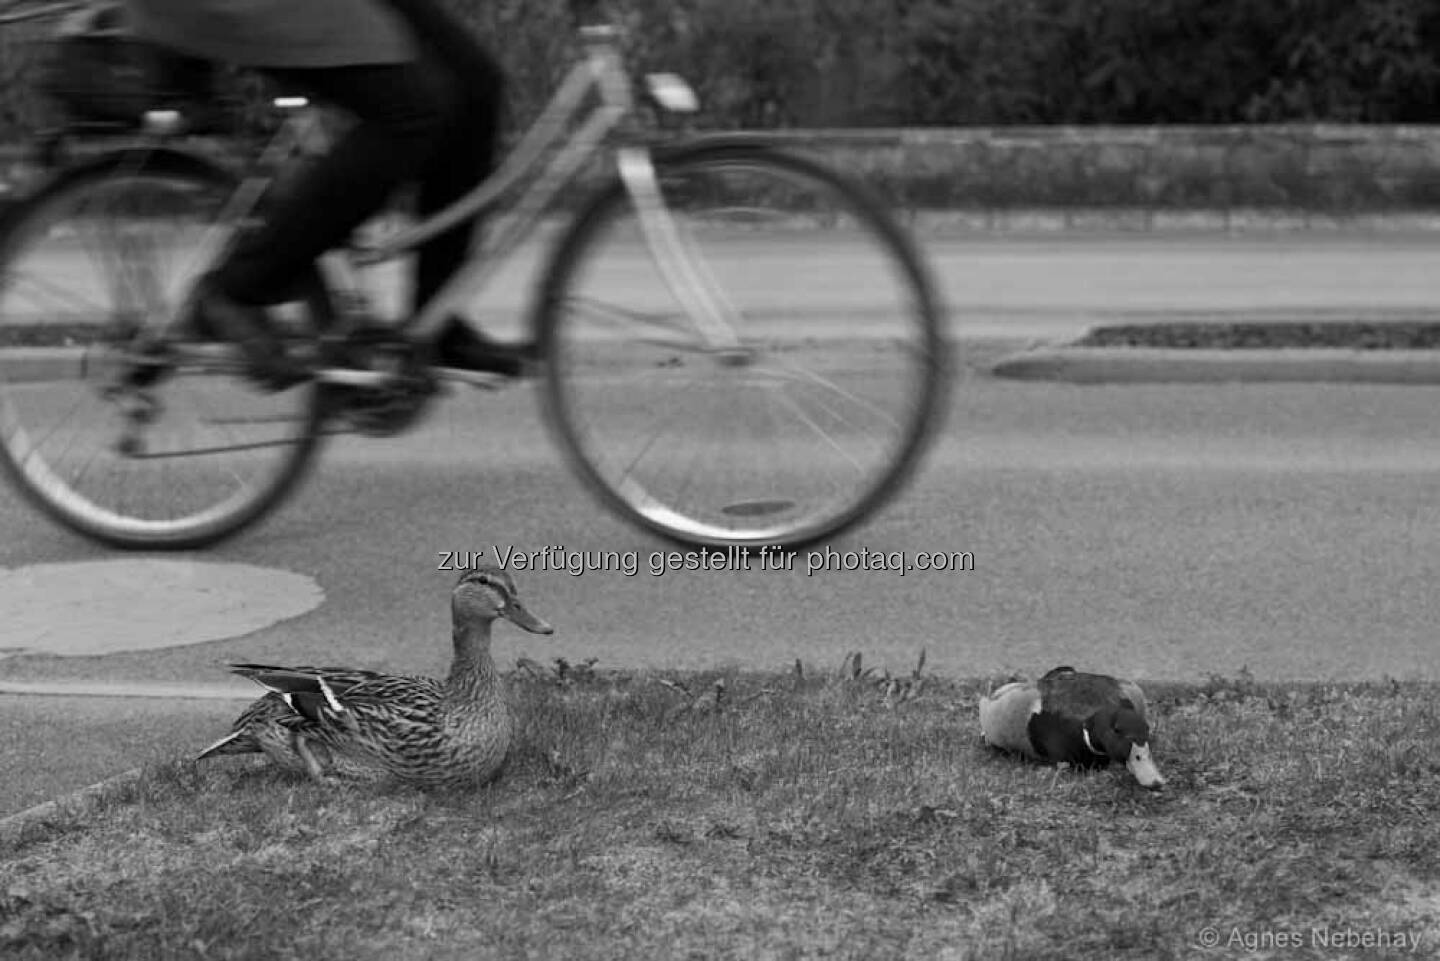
(21, 459)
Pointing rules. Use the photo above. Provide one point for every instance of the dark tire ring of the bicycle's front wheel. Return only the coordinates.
(676, 524)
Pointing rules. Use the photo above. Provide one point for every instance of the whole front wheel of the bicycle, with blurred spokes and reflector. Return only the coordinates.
(817, 411)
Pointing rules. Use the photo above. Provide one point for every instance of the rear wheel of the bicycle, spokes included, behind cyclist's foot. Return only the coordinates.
(93, 269)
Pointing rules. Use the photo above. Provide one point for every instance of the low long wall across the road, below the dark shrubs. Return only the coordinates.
(1146, 174)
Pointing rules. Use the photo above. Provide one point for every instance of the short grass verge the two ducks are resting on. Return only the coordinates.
(780, 816)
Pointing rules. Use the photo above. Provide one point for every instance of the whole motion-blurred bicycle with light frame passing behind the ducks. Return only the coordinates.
(706, 424)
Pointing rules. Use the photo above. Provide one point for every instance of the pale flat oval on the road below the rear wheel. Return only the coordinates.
(100, 607)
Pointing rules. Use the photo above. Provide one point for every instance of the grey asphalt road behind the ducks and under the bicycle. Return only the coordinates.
(1164, 532)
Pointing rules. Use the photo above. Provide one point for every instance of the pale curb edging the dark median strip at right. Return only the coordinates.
(1158, 365)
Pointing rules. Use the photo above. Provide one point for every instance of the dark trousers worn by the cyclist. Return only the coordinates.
(433, 123)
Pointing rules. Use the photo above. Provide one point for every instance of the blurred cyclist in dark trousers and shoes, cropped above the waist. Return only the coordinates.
(427, 103)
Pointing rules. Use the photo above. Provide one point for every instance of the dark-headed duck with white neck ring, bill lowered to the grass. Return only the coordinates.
(1074, 718)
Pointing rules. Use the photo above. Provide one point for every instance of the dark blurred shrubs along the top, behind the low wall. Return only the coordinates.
(958, 63)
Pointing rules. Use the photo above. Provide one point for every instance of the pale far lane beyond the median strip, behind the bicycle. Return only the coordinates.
(1040, 286)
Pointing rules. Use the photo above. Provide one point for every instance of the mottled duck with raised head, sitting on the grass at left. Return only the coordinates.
(339, 723)
